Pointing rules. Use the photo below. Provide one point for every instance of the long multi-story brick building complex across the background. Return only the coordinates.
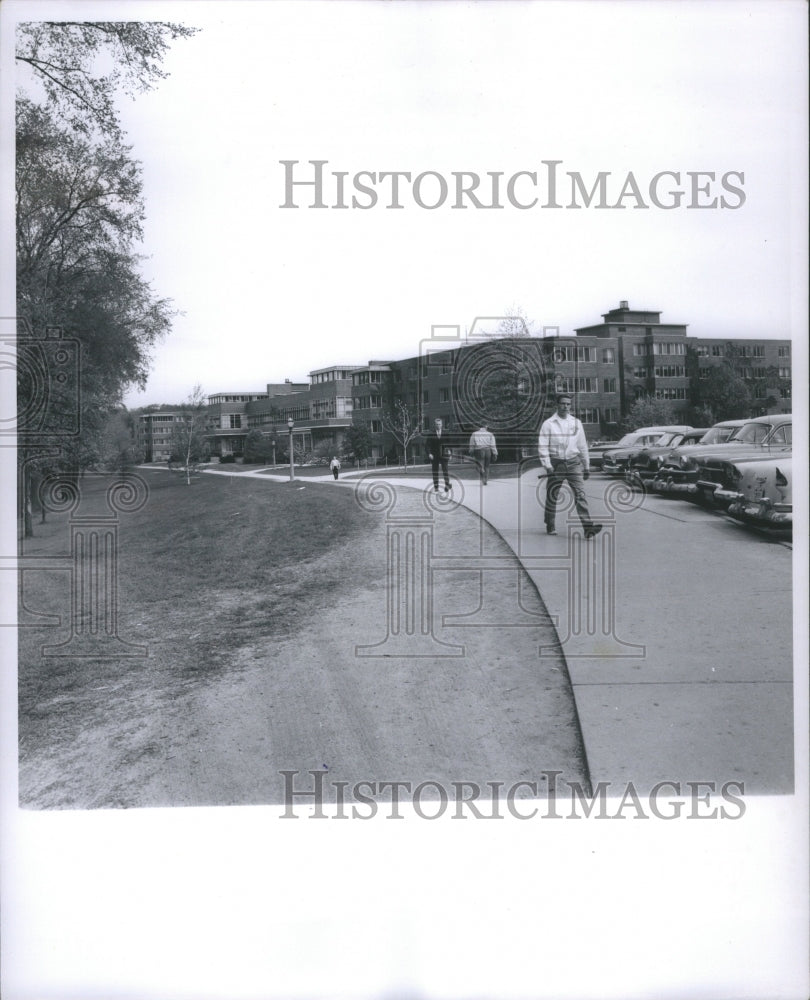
(510, 382)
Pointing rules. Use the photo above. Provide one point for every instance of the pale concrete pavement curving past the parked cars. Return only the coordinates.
(676, 625)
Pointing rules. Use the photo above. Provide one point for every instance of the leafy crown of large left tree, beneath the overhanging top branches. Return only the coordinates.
(79, 217)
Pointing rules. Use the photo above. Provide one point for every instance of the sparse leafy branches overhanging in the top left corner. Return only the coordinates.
(64, 58)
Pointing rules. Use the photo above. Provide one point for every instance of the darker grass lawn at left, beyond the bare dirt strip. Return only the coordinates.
(203, 571)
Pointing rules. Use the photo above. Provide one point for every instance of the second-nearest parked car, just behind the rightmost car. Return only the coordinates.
(696, 471)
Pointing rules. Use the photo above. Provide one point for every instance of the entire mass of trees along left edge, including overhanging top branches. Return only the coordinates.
(79, 216)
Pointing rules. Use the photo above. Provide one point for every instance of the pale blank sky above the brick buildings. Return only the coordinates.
(265, 293)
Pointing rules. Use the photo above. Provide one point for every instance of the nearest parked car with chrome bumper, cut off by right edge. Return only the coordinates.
(761, 493)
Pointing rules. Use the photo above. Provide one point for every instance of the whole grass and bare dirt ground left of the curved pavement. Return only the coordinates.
(255, 600)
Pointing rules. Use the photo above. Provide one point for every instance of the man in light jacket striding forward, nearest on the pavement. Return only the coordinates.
(563, 452)
